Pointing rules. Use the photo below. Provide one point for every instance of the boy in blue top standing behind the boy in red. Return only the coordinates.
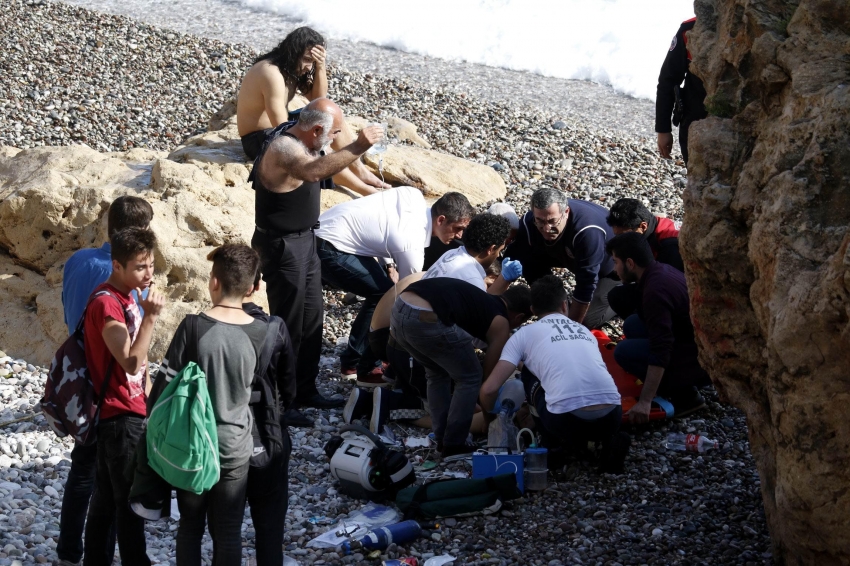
(83, 272)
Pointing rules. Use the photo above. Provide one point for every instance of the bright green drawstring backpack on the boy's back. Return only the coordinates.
(182, 440)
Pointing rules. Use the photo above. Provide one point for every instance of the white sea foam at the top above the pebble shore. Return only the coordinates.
(621, 43)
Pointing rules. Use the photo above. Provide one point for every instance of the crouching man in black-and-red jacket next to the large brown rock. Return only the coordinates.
(662, 235)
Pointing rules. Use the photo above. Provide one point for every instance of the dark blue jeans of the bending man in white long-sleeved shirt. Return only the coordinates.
(365, 277)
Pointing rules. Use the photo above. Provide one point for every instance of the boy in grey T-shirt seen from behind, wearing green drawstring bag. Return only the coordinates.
(227, 349)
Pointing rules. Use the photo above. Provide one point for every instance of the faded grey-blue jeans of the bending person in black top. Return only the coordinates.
(448, 356)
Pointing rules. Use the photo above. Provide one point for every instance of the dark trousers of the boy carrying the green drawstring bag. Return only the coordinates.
(224, 505)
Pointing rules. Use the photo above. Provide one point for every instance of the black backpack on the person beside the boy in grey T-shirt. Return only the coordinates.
(265, 404)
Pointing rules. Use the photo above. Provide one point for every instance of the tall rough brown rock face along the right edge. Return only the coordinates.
(766, 239)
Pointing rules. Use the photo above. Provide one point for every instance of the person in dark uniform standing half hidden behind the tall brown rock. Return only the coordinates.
(692, 96)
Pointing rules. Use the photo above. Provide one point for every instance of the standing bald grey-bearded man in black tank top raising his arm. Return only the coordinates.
(288, 176)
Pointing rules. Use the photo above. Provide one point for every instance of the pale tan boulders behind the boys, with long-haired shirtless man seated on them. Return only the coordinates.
(53, 201)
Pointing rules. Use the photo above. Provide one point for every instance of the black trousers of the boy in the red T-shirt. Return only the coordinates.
(116, 449)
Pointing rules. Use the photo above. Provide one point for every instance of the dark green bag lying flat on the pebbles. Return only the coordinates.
(455, 498)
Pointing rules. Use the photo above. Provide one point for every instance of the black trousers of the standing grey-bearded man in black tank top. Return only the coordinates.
(293, 276)
